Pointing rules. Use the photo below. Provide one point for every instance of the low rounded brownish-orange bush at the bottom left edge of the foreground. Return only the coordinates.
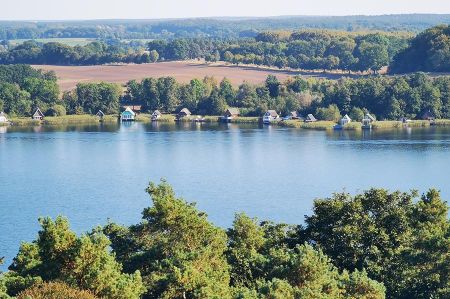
(54, 290)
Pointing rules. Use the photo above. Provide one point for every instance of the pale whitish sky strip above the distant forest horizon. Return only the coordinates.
(159, 9)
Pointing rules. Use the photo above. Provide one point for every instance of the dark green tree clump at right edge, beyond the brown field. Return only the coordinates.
(429, 51)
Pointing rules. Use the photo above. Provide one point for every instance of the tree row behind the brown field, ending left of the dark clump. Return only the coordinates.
(300, 49)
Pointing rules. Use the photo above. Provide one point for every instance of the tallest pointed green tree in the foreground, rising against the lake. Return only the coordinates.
(180, 254)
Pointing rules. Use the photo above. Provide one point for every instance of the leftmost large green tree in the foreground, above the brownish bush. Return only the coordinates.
(84, 262)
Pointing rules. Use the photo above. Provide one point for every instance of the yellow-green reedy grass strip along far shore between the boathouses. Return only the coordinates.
(171, 118)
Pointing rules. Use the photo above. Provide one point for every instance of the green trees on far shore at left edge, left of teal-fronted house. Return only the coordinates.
(23, 89)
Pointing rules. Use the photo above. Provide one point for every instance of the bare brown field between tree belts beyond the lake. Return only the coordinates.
(69, 76)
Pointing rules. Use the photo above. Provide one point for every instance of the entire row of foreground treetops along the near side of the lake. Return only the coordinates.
(377, 244)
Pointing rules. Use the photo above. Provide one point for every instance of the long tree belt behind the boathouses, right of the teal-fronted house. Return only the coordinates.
(386, 97)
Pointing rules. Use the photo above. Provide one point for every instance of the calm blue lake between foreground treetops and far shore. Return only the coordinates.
(94, 173)
